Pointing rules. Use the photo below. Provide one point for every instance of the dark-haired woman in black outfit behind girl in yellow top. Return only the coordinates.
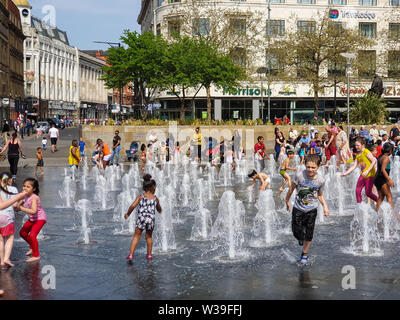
(382, 182)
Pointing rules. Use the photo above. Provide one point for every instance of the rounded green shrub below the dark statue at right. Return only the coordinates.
(369, 109)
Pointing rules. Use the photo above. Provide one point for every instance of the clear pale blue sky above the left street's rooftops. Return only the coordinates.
(88, 20)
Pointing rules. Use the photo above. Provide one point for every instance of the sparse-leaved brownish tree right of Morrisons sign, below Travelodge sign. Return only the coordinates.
(314, 47)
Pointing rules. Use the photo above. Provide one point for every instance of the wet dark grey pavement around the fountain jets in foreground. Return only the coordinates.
(193, 270)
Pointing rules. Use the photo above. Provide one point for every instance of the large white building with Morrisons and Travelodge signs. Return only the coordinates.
(295, 100)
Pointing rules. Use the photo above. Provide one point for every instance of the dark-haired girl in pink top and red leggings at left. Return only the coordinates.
(37, 217)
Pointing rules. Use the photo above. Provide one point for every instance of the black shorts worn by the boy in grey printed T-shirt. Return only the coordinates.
(303, 224)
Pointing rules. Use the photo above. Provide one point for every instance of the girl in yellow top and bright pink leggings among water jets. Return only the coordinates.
(367, 163)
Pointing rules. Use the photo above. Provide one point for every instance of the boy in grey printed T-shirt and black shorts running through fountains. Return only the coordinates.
(309, 185)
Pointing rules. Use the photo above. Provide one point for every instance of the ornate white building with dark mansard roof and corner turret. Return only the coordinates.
(51, 69)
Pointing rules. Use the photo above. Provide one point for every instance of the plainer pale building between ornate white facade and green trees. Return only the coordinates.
(93, 95)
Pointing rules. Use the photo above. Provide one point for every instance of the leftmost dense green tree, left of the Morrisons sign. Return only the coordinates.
(140, 63)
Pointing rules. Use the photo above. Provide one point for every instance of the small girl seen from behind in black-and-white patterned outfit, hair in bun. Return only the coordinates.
(148, 203)
